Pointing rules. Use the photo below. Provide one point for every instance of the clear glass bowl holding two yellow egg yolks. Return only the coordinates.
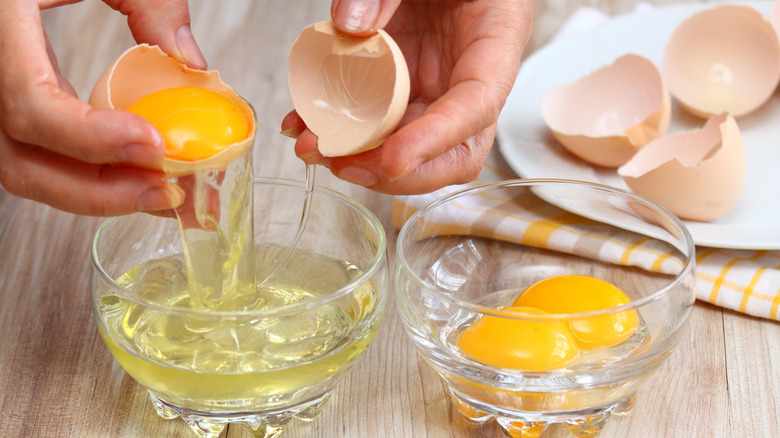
(544, 301)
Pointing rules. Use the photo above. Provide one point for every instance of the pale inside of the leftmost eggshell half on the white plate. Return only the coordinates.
(607, 102)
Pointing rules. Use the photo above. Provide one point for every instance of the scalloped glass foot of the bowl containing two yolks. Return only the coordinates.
(581, 424)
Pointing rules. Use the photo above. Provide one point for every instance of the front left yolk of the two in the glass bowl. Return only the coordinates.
(505, 342)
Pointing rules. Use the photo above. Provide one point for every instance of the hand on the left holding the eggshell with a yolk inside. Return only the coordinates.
(57, 149)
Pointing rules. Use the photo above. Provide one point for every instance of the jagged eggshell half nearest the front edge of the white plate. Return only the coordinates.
(698, 175)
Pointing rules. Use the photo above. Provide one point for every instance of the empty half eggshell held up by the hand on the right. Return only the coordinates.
(350, 92)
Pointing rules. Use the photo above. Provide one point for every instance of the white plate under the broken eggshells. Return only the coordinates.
(532, 152)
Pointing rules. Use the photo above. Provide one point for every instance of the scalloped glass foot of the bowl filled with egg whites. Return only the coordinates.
(262, 424)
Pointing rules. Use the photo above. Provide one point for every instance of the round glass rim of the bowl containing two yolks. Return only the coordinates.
(685, 238)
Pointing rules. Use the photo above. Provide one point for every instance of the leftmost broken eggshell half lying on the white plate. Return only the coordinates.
(606, 116)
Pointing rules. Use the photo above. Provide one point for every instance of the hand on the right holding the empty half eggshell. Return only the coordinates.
(463, 58)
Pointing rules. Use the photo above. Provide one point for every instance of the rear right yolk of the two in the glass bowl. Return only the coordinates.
(581, 293)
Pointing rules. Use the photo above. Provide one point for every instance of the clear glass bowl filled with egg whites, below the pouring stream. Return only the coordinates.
(279, 354)
